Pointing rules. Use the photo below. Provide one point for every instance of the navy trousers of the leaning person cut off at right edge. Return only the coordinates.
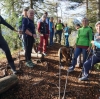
(88, 65)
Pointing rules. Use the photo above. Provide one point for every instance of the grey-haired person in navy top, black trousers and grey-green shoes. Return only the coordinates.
(29, 36)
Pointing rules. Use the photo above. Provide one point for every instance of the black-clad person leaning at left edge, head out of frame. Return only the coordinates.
(5, 48)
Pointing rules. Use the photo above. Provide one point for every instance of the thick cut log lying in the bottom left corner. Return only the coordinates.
(7, 82)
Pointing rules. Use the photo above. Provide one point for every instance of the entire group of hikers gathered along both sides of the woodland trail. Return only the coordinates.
(46, 29)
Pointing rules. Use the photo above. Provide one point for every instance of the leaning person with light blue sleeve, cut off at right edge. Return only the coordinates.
(95, 57)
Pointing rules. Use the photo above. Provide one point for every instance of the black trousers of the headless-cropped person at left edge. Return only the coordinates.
(5, 48)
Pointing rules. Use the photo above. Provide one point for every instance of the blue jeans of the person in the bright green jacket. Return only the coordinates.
(77, 52)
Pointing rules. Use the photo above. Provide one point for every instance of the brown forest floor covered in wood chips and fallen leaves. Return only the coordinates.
(42, 82)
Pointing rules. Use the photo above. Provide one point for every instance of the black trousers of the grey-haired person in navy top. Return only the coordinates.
(28, 47)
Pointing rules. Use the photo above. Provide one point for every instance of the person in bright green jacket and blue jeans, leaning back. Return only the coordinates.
(83, 43)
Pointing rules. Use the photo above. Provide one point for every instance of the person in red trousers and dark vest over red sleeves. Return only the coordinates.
(43, 30)
